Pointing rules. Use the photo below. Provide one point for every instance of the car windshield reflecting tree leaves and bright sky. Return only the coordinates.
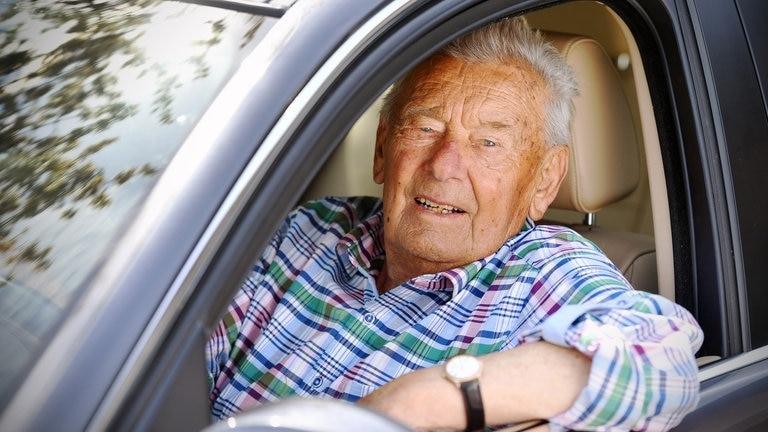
(95, 98)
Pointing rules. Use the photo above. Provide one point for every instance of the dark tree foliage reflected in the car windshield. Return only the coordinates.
(59, 99)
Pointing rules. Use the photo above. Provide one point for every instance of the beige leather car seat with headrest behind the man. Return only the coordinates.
(605, 161)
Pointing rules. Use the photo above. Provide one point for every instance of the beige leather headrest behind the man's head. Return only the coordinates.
(604, 166)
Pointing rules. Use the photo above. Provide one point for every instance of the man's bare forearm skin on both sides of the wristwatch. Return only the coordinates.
(533, 381)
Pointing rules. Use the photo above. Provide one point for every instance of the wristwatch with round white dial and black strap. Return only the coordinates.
(464, 372)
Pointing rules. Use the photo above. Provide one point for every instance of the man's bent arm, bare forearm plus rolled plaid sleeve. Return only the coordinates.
(626, 362)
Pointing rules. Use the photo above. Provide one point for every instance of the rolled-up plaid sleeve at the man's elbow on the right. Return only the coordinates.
(644, 374)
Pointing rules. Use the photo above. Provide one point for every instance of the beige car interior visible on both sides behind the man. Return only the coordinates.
(614, 193)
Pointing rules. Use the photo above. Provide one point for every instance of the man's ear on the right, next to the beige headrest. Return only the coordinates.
(554, 167)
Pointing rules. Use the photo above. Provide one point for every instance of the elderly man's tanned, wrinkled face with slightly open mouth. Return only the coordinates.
(460, 161)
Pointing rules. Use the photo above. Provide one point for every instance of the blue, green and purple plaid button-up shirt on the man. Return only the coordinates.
(309, 320)
